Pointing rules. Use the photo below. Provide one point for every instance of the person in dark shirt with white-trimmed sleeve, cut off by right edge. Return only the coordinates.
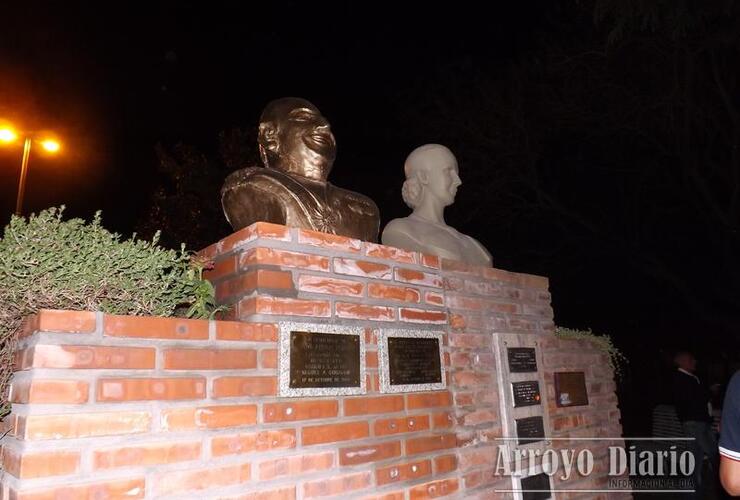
(729, 438)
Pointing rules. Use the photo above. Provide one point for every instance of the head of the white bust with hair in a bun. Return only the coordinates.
(431, 176)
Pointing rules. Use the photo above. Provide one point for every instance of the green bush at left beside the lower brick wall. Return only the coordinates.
(49, 263)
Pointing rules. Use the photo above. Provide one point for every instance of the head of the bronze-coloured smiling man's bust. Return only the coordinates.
(295, 138)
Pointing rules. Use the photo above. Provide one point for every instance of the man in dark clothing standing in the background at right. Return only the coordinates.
(691, 398)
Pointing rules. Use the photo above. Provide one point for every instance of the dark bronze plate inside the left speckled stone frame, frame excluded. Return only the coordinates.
(324, 360)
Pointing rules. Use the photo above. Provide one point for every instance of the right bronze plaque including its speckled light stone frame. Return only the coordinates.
(411, 360)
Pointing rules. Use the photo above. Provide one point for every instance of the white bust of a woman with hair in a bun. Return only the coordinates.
(431, 184)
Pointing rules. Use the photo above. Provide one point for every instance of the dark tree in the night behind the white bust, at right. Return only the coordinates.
(622, 140)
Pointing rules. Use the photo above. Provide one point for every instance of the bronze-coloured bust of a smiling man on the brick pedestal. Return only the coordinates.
(298, 150)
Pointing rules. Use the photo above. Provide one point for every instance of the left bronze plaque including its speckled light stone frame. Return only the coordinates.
(321, 360)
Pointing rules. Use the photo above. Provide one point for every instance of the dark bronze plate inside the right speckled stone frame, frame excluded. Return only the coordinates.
(413, 360)
